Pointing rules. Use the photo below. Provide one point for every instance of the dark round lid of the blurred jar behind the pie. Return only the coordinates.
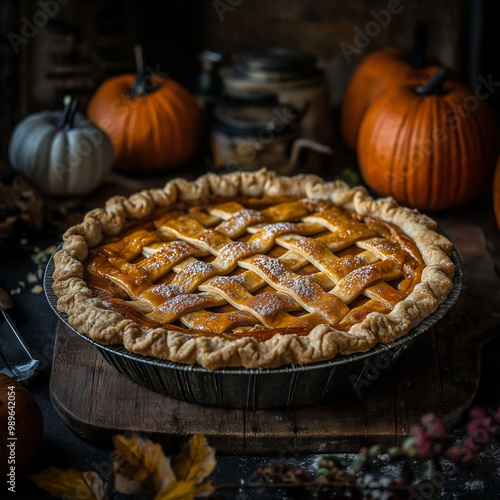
(275, 63)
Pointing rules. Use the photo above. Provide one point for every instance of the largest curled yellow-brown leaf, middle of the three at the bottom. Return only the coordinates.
(140, 466)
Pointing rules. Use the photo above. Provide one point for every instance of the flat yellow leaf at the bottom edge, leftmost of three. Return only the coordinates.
(71, 484)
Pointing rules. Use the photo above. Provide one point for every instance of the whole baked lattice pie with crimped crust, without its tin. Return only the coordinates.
(251, 269)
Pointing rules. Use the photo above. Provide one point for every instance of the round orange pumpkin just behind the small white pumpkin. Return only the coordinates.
(154, 122)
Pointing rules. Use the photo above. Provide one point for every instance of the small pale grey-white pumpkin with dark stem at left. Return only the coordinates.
(61, 152)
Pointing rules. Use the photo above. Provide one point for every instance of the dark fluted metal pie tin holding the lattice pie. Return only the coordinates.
(286, 387)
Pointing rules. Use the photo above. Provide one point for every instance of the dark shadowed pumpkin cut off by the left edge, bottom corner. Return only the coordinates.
(20, 418)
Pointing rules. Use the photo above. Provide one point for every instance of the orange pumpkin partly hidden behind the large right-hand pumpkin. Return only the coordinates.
(379, 71)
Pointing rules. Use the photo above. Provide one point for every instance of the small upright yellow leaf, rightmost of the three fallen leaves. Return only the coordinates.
(195, 461)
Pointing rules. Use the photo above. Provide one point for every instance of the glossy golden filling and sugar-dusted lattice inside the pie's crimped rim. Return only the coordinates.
(254, 267)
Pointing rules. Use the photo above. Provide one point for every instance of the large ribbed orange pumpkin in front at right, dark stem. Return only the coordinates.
(432, 147)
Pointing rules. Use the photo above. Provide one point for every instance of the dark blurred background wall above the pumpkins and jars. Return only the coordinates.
(73, 45)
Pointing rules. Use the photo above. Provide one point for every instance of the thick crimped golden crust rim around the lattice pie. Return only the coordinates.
(88, 316)
